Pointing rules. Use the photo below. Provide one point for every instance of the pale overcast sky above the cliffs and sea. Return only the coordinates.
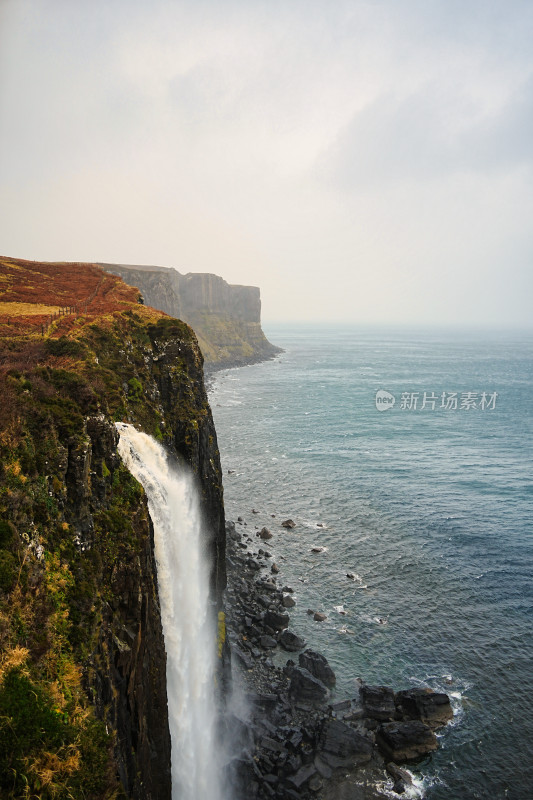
(364, 162)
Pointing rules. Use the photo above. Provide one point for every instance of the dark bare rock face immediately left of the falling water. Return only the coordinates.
(125, 670)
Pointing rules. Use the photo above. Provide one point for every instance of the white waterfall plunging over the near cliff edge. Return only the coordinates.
(184, 596)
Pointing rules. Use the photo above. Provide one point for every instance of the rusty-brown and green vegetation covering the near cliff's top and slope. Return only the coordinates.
(57, 556)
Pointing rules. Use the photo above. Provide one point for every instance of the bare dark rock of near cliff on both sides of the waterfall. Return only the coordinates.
(131, 681)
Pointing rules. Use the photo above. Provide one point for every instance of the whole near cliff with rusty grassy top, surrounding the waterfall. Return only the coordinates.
(83, 707)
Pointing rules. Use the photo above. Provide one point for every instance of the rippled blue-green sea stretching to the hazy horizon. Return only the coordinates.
(404, 456)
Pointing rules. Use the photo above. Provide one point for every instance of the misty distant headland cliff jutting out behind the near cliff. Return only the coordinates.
(225, 318)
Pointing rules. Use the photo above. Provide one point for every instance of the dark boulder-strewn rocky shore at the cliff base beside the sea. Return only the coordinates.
(285, 736)
